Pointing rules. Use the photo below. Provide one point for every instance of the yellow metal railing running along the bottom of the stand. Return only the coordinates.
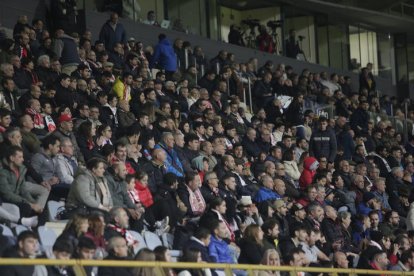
(159, 267)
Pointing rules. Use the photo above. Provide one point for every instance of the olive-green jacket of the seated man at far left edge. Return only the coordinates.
(11, 186)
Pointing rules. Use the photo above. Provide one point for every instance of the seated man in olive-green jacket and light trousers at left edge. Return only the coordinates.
(14, 189)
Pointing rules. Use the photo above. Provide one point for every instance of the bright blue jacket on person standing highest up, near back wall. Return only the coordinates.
(164, 56)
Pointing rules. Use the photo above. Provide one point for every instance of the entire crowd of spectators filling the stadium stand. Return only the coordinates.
(172, 151)
